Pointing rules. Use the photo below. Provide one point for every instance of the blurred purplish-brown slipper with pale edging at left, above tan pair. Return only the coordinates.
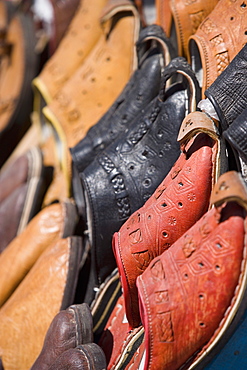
(22, 188)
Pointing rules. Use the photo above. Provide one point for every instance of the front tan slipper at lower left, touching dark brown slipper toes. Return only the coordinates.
(47, 288)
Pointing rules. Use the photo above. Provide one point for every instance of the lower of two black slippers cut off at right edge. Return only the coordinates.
(236, 134)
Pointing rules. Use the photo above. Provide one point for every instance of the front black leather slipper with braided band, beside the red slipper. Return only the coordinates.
(124, 176)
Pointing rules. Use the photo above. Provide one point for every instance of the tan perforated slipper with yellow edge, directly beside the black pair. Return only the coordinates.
(73, 111)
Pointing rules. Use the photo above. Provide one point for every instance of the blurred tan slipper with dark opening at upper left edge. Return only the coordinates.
(18, 68)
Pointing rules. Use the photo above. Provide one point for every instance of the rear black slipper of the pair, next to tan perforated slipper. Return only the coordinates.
(142, 87)
